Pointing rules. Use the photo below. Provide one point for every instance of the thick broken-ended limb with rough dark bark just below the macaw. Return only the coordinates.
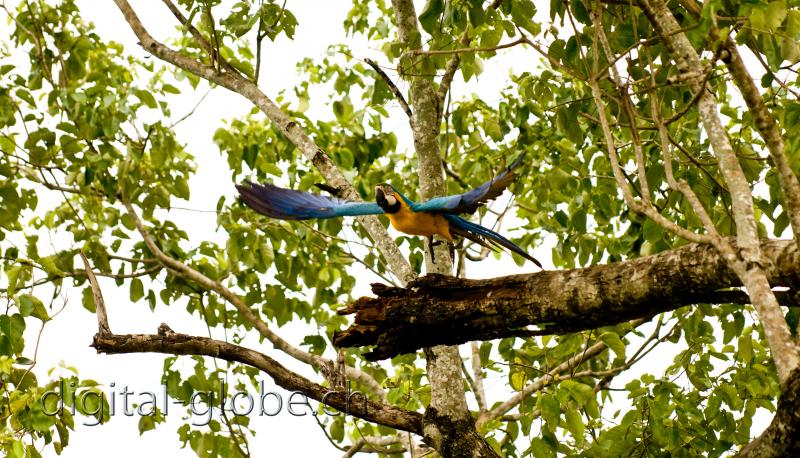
(446, 310)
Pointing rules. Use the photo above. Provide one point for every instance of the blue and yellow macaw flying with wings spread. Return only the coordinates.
(438, 216)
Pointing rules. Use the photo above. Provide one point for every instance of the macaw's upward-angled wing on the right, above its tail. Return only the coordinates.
(469, 201)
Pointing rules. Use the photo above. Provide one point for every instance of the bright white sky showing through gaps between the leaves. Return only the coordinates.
(67, 338)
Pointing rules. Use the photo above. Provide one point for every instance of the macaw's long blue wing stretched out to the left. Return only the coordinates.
(281, 203)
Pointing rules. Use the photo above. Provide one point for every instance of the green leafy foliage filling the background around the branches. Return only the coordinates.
(84, 126)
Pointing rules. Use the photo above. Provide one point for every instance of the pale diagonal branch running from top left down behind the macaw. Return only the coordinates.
(237, 83)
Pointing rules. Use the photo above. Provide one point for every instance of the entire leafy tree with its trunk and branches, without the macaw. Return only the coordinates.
(660, 171)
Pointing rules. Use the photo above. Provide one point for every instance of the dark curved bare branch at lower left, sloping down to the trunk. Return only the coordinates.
(172, 343)
